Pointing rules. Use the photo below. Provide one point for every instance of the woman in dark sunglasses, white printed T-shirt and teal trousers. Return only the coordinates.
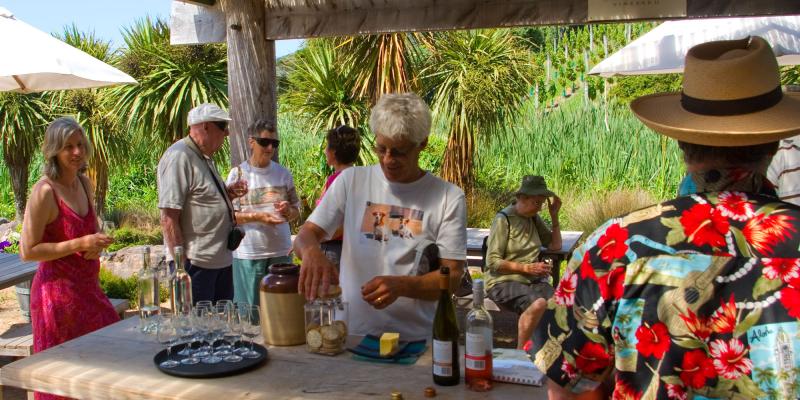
(264, 212)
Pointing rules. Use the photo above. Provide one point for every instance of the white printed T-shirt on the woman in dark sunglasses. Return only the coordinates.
(265, 187)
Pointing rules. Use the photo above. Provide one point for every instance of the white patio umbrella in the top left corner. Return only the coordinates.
(33, 61)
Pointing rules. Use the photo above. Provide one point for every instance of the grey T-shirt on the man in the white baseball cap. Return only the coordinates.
(185, 183)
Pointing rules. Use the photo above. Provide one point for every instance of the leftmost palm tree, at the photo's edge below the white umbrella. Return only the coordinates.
(23, 118)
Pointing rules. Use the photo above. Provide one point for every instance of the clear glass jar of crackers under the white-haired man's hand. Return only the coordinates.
(326, 323)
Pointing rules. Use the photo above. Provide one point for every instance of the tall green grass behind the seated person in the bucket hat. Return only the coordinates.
(572, 149)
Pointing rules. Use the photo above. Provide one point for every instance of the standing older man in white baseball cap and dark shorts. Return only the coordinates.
(196, 208)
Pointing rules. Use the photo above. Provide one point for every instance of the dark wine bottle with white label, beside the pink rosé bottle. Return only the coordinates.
(446, 370)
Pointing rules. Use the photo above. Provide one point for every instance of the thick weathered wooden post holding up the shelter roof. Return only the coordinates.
(251, 72)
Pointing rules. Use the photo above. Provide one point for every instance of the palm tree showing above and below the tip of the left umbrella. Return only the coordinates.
(94, 110)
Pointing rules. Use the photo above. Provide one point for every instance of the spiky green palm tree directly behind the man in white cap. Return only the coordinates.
(172, 80)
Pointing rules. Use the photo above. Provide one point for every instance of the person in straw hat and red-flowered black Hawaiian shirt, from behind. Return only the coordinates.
(698, 296)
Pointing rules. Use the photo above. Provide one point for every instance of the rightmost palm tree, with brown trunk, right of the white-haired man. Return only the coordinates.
(479, 80)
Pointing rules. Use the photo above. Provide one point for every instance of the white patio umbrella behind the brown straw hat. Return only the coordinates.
(663, 49)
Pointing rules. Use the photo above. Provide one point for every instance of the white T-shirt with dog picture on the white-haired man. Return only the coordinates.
(383, 222)
